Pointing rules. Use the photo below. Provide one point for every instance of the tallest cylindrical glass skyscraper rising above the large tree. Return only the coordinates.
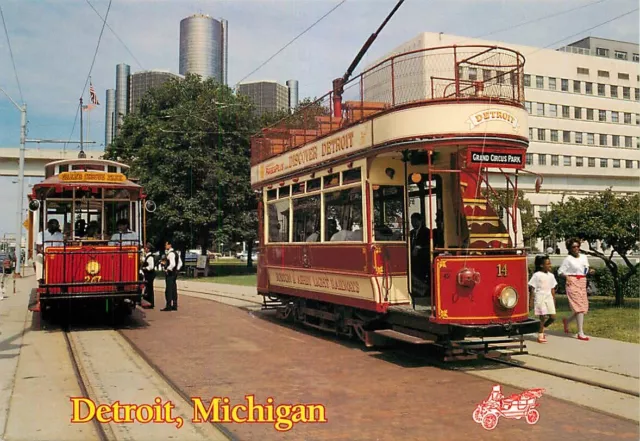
(203, 47)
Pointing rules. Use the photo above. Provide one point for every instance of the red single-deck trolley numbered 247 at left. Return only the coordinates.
(94, 255)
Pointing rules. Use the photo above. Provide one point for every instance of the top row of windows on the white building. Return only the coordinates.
(589, 88)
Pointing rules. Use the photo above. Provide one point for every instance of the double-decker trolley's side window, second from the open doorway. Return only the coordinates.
(343, 215)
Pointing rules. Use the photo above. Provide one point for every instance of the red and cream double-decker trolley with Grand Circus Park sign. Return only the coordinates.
(374, 211)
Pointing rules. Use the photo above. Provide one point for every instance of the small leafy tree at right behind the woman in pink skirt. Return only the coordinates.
(601, 217)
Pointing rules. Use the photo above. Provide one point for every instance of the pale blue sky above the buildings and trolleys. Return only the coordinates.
(54, 42)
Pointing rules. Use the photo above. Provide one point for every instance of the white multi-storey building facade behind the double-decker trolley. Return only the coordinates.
(584, 123)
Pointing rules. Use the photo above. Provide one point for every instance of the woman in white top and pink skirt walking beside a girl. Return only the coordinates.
(575, 268)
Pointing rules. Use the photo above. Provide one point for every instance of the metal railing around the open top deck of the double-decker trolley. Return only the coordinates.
(446, 74)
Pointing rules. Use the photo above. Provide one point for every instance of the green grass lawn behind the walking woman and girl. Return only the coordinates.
(603, 319)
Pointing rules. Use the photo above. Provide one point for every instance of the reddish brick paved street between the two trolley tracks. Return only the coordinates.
(209, 349)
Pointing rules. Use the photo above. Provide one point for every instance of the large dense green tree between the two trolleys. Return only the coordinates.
(188, 144)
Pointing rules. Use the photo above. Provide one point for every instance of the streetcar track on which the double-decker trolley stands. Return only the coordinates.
(443, 365)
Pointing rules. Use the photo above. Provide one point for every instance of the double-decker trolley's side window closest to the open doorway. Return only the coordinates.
(388, 213)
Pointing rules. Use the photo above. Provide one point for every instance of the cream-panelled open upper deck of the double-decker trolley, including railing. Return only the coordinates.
(443, 95)
